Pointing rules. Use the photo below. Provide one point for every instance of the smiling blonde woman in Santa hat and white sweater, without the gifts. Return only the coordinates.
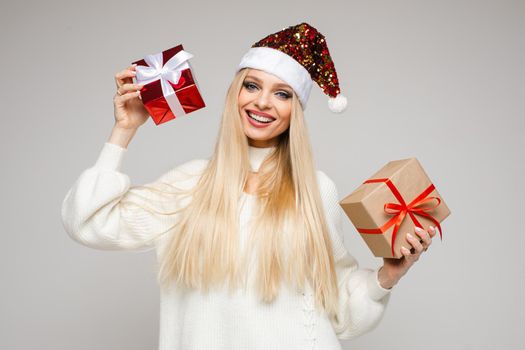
(249, 242)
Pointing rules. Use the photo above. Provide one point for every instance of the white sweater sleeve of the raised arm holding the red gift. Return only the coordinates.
(103, 211)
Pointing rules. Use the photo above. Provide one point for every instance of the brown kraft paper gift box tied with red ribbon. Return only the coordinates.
(391, 203)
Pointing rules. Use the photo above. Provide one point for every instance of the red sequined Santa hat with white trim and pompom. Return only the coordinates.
(299, 56)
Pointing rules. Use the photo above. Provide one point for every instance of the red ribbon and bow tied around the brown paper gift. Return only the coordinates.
(401, 209)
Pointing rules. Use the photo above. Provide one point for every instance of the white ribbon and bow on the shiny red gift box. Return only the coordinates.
(169, 72)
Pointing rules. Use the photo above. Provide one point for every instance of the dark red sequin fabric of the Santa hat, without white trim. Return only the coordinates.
(307, 46)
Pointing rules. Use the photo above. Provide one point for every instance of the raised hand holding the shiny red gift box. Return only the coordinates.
(128, 108)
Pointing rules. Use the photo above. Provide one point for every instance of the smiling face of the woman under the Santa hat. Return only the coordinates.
(268, 99)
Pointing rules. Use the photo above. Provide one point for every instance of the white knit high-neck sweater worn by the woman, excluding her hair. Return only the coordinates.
(93, 215)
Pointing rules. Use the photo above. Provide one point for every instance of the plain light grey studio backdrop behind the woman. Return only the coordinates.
(438, 80)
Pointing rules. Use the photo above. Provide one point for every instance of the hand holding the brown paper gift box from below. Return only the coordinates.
(393, 269)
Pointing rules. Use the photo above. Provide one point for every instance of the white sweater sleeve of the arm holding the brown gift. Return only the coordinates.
(362, 300)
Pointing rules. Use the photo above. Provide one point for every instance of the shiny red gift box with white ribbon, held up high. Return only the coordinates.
(170, 88)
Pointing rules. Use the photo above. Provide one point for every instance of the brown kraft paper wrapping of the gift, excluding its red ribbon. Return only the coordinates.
(365, 206)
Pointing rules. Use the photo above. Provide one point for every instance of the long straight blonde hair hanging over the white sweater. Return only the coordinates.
(289, 237)
